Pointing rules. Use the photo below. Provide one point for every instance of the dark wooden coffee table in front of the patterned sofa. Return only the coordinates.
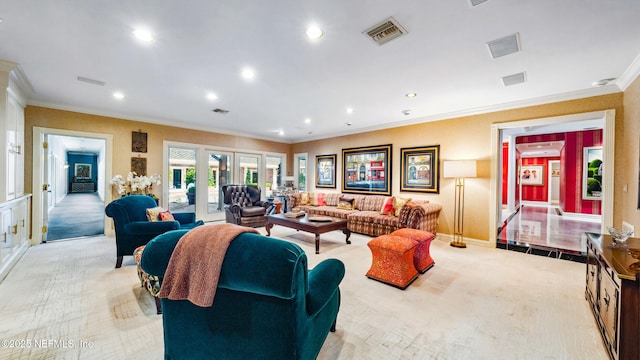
(304, 224)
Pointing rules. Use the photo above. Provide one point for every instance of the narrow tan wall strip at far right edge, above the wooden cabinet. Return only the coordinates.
(627, 158)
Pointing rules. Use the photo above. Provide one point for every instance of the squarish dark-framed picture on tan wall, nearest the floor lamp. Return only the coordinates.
(420, 169)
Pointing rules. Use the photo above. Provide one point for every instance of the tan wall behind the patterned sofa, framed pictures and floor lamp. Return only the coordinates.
(461, 138)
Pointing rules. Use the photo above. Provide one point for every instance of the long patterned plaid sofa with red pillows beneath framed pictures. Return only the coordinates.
(367, 216)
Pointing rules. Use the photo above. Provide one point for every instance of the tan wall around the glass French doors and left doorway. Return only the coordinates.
(121, 131)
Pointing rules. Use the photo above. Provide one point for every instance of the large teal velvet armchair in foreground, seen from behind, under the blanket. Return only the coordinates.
(268, 305)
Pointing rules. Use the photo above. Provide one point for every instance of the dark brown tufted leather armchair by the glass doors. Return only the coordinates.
(244, 207)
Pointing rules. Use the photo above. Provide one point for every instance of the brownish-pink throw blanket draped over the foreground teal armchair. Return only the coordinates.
(194, 268)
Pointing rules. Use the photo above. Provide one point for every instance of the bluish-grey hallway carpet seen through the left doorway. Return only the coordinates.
(76, 215)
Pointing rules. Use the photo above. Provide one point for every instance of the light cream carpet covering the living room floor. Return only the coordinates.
(476, 303)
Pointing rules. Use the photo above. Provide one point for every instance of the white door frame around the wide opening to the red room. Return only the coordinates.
(608, 132)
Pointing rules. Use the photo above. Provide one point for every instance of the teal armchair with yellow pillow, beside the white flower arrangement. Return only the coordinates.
(133, 228)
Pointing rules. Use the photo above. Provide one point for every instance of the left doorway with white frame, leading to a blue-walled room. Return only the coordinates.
(70, 172)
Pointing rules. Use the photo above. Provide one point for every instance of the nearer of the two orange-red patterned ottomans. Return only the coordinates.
(392, 260)
